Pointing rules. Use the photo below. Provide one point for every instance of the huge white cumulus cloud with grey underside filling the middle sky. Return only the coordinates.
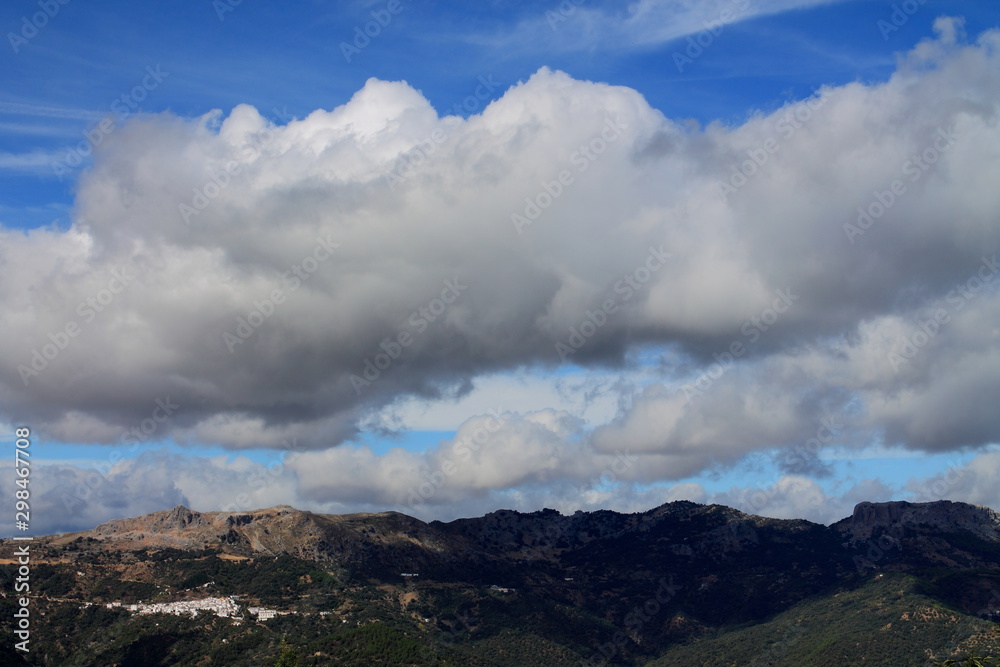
(457, 248)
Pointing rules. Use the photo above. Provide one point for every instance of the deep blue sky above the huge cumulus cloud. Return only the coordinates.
(289, 57)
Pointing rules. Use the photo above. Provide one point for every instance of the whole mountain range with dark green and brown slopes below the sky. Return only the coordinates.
(896, 583)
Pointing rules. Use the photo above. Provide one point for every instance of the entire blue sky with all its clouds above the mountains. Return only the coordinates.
(442, 258)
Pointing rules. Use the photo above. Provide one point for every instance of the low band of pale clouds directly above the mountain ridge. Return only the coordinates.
(344, 480)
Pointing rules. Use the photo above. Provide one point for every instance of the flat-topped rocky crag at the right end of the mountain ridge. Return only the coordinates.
(942, 515)
